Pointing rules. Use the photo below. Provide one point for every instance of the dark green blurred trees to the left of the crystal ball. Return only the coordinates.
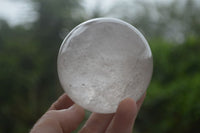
(28, 64)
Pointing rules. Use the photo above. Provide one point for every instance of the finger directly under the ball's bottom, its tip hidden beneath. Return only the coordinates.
(97, 123)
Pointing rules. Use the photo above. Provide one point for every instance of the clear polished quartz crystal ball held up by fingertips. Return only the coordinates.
(103, 61)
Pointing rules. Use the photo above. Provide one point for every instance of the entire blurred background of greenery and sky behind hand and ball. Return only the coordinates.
(31, 32)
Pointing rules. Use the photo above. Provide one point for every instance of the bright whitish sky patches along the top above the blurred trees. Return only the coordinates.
(17, 12)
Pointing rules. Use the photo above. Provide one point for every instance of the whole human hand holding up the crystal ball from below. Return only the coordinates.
(64, 116)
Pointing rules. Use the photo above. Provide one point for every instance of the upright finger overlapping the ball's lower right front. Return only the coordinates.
(124, 118)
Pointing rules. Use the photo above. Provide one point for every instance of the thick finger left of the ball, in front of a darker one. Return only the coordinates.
(60, 121)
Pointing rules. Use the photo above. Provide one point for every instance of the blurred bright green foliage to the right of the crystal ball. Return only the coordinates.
(172, 103)
